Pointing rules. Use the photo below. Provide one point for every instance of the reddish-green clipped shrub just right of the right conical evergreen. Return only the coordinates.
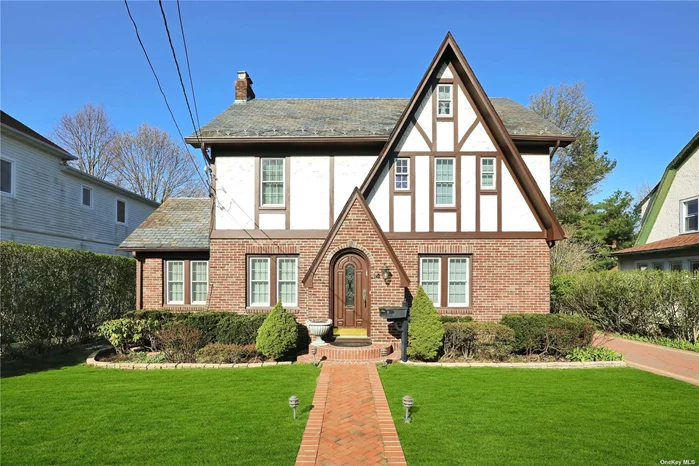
(485, 340)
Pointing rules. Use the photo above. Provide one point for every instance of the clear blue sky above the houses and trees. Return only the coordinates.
(640, 60)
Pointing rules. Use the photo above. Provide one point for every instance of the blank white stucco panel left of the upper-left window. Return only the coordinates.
(235, 190)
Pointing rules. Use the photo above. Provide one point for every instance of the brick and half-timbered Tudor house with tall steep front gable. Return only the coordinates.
(337, 207)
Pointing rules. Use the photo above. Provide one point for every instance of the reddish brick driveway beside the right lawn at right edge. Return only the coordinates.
(679, 364)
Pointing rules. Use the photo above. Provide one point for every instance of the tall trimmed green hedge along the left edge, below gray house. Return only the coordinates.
(55, 295)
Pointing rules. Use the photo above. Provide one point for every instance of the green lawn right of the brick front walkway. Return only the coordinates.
(545, 417)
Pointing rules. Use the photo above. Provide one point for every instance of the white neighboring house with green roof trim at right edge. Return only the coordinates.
(669, 235)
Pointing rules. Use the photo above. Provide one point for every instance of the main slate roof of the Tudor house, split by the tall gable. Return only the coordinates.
(346, 118)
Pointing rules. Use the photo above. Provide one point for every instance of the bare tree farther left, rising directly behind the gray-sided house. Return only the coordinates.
(88, 134)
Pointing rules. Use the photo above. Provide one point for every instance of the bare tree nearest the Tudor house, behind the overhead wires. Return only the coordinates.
(151, 164)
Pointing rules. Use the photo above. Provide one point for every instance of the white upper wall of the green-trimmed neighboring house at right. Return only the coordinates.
(685, 185)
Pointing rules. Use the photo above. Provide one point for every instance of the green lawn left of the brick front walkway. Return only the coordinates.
(62, 412)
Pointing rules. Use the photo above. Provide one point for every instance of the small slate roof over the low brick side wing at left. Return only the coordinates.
(179, 223)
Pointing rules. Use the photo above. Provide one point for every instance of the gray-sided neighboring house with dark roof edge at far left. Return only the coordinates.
(45, 201)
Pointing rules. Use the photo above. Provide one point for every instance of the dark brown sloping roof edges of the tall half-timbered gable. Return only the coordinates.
(449, 51)
